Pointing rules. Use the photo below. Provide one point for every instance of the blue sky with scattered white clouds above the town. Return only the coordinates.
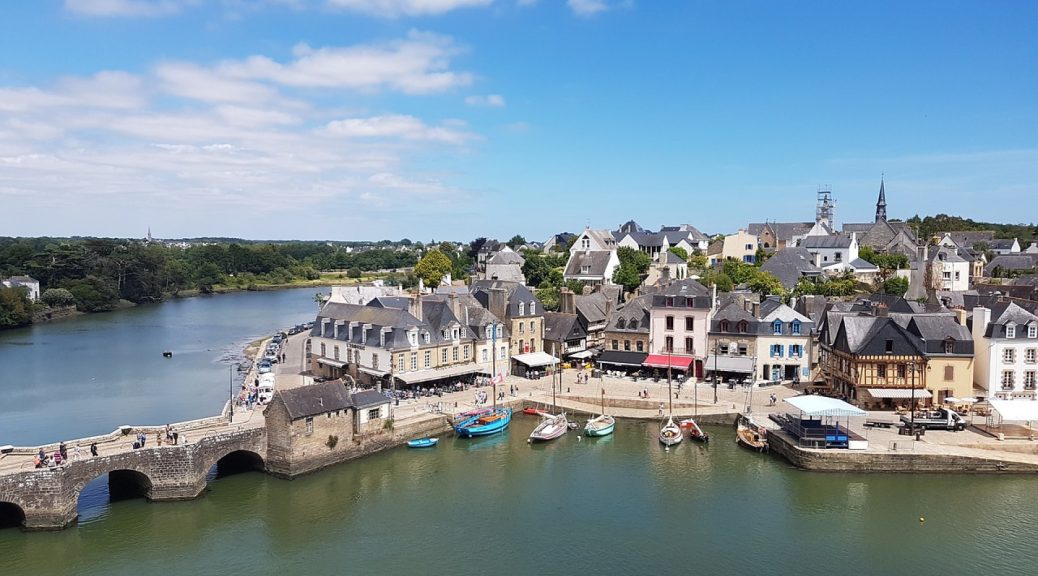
(352, 120)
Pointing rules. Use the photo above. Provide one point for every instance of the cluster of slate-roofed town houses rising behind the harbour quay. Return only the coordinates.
(869, 313)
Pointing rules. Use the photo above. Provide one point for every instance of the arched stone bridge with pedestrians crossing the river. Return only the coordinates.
(47, 499)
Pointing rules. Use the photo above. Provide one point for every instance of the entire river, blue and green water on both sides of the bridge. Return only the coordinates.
(496, 506)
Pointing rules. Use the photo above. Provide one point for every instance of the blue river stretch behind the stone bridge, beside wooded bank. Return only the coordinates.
(88, 375)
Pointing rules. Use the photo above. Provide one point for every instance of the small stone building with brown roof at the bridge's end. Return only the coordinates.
(314, 427)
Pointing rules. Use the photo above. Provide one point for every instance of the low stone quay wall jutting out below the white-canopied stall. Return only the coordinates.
(853, 461)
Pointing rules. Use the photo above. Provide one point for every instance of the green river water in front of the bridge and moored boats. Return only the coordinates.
(498, 506)
